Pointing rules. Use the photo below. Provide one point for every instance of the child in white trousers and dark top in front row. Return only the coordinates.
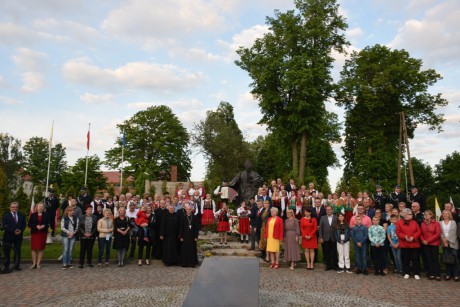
(342, 235)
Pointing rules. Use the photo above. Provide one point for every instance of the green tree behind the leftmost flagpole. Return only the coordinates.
(36, 152)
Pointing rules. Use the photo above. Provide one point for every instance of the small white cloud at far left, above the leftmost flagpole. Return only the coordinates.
(32, 63)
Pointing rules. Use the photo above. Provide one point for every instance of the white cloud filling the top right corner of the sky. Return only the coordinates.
(436, 35)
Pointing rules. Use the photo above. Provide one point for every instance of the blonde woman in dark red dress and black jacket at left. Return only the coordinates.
(39, 223)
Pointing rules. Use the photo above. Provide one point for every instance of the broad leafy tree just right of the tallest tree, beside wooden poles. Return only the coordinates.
(376, 85)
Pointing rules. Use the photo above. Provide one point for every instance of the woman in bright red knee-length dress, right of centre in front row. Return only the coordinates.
(308, 228)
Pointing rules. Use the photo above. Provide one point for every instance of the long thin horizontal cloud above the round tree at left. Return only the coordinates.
(133, 75)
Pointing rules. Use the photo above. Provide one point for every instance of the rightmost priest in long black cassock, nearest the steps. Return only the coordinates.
(188, 234)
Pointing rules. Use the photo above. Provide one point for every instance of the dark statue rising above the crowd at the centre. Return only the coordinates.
(246, 183)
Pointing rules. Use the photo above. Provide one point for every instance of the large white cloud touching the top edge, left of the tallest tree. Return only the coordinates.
(154, 23)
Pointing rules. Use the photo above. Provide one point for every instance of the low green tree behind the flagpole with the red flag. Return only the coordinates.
(75, 176)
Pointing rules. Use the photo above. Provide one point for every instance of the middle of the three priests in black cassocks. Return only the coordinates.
(169, 234)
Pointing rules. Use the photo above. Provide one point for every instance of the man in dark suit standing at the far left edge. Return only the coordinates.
(14, 224)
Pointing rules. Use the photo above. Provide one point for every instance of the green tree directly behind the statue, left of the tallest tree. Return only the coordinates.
(222, 143)
